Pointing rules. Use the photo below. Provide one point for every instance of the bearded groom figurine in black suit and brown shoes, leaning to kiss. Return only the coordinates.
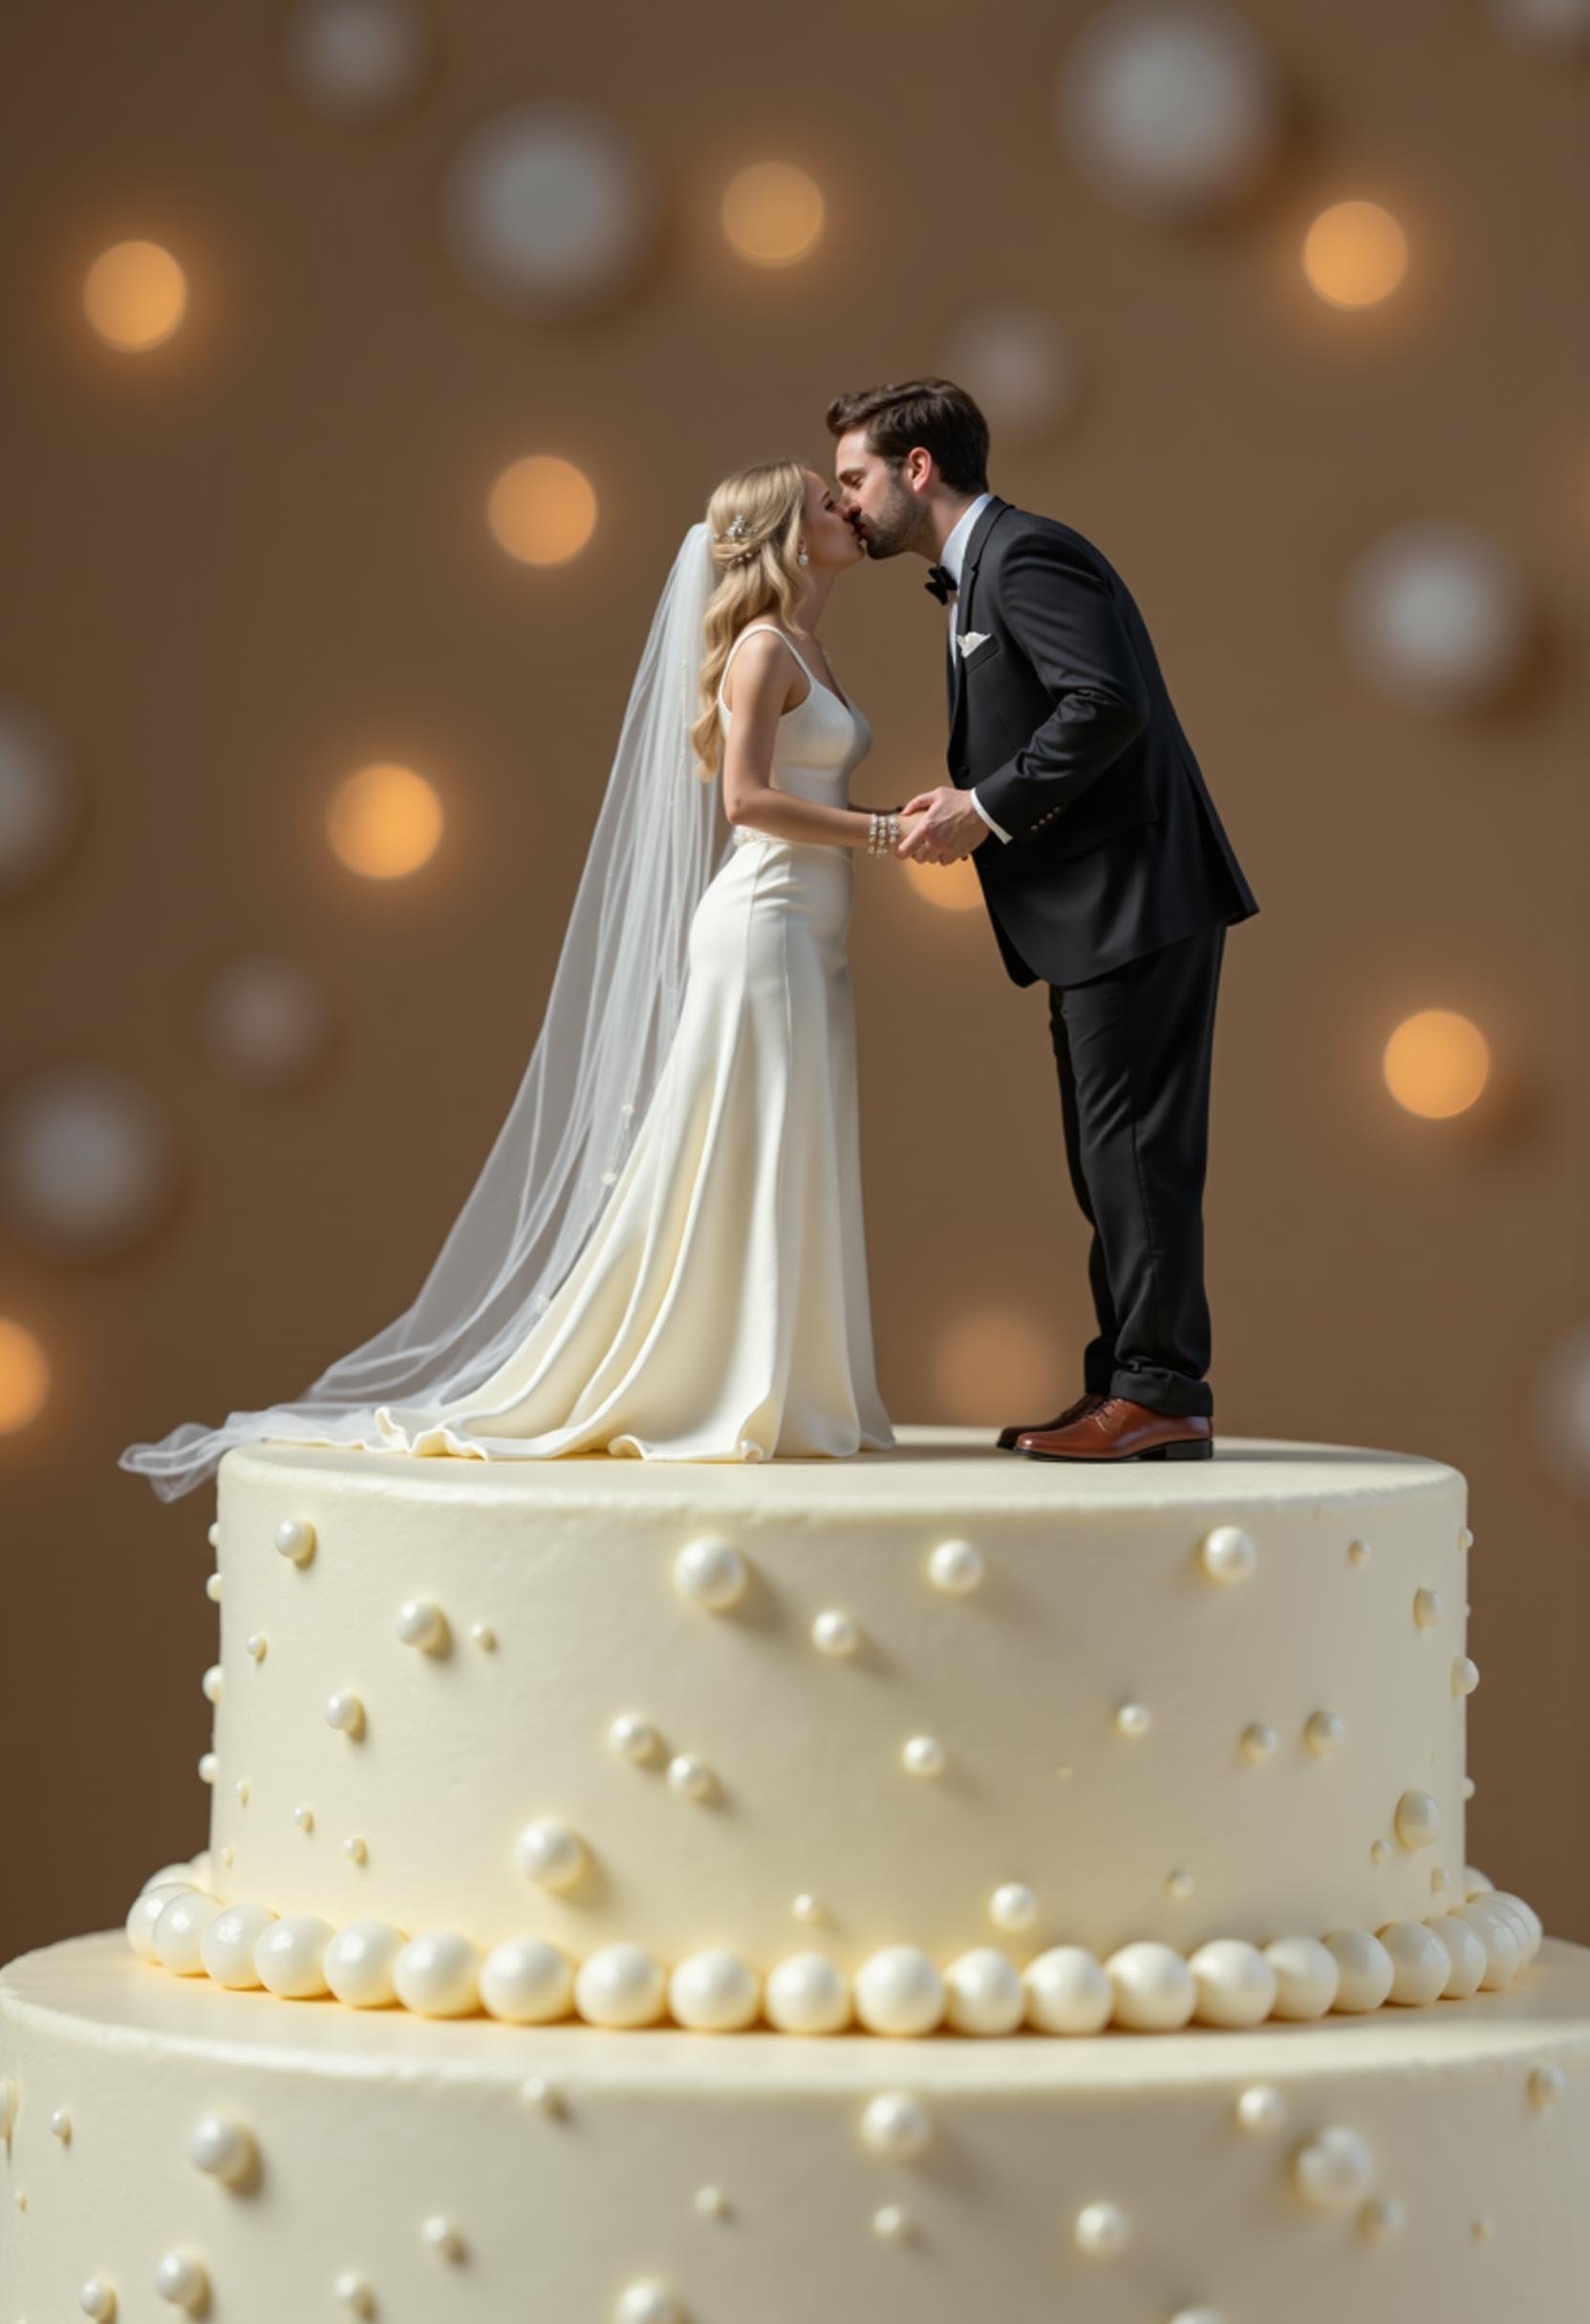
(1105, 873)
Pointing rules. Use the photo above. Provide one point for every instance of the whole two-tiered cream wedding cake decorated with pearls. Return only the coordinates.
(908, 1888)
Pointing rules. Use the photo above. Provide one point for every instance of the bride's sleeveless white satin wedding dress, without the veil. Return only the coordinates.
(719, 1307)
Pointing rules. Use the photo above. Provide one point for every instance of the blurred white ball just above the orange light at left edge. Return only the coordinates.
(87, 1163)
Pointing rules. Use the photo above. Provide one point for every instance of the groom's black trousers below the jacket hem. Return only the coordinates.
(1133, 1054)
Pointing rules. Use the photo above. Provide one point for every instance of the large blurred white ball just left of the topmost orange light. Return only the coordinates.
(550, 208)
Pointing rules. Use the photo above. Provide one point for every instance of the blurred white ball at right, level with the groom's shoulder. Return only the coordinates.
(1438, 617)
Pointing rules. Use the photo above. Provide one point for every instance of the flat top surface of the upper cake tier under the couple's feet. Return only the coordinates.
(933, 1470)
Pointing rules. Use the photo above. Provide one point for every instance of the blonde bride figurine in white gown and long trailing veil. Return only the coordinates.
(664, 1251)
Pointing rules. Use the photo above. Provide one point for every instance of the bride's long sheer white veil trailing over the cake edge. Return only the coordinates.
(610, 1019)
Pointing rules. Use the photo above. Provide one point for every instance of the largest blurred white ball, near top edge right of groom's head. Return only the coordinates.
(1170, 106)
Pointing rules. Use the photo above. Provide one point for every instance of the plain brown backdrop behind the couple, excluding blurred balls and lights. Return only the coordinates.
(257, 559)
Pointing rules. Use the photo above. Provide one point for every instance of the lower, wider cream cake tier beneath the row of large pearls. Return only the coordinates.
(180, 2149)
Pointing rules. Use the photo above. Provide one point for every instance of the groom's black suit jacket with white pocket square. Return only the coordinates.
(1066, 729)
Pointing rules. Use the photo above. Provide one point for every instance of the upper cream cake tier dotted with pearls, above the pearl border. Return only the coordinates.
(938, 1698)
